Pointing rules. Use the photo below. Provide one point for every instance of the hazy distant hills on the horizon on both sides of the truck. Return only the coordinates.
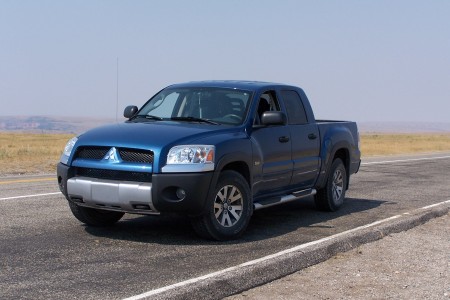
(75, 125)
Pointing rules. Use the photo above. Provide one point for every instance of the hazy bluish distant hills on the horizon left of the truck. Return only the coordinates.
(51, 124)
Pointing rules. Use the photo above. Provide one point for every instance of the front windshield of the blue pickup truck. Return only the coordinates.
(219, 105)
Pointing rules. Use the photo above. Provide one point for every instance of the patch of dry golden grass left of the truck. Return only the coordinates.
(27, 153)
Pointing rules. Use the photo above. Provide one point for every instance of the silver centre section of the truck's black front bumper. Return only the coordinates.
(124, 196)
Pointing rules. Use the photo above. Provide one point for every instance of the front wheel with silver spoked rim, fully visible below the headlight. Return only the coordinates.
(228, 210)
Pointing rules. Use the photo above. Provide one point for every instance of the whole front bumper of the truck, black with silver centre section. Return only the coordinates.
(175, 192)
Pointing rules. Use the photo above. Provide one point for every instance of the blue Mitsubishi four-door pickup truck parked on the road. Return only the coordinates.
(212, 150)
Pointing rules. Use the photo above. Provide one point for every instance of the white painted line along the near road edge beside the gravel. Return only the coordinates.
(265, 258)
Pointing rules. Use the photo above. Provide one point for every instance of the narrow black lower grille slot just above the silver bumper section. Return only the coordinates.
(114, 175)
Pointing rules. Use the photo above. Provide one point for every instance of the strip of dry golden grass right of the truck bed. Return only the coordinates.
(391, 144)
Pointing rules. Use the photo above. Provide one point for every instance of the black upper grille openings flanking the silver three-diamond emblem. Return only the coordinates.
(126, 154)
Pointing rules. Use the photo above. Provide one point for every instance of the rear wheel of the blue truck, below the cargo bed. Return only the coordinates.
(331, 197)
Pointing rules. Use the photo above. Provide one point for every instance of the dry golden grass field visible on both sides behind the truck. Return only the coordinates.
(25, 153)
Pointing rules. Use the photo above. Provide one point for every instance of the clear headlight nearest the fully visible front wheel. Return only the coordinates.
(190, 158)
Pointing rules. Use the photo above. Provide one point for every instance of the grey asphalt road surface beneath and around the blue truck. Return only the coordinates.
(46, 253)
